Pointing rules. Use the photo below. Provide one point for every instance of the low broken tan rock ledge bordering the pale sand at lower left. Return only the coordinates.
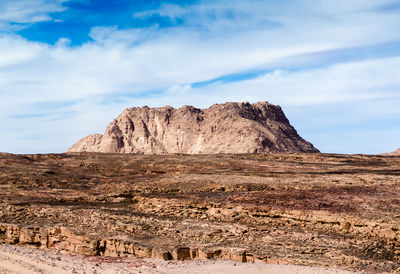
(62, 239)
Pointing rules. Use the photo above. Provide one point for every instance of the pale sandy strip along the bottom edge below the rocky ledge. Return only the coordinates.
(17, 259)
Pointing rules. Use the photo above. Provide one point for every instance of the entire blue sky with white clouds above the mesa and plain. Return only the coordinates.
(69, 67)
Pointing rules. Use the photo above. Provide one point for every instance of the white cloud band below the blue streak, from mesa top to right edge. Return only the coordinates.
(363, 81)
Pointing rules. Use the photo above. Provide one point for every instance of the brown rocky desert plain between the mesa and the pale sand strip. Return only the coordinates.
(321, 210)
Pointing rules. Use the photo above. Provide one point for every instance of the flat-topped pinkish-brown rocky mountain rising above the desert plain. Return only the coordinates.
(222, 128)
